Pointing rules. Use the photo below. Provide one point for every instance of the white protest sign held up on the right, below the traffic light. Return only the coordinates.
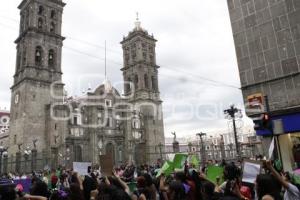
(250, 170)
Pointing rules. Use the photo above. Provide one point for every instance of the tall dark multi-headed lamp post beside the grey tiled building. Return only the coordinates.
(232, 113)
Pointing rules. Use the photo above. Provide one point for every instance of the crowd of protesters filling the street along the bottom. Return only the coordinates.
(186, 184)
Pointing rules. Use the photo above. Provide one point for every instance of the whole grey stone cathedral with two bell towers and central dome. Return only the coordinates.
(102, 127)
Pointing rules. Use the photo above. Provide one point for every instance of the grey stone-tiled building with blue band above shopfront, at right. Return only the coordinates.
(267, 42)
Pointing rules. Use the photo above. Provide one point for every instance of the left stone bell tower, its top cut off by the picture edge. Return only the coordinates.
(37, 78)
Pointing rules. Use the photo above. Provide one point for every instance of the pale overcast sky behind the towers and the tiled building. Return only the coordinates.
(195, 45)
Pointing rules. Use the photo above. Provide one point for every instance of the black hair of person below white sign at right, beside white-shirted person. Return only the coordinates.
(266, 184)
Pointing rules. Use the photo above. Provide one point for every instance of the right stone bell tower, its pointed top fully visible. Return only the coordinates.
(140, 74)
